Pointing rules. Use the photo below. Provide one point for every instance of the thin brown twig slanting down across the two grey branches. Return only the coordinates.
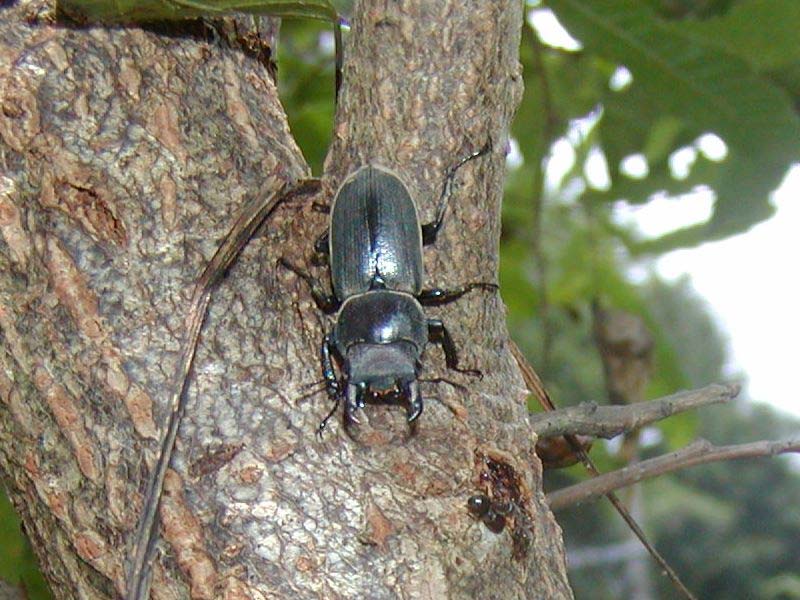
(535, 384)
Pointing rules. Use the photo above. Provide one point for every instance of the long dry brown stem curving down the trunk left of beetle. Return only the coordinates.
(250, 219)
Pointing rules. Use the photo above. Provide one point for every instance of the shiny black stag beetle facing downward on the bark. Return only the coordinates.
(374, 248)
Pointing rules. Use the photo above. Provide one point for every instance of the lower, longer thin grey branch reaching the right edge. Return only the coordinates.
(698, 453)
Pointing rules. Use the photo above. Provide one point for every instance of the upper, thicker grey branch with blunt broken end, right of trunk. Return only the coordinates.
(610, 421)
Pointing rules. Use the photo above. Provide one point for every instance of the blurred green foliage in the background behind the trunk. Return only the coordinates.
(650, 79)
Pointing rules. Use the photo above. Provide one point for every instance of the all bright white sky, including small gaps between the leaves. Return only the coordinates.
(746, 279)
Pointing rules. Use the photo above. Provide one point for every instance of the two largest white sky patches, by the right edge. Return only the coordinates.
(748, 281)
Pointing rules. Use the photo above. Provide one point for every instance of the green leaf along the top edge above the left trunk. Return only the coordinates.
(140, 11)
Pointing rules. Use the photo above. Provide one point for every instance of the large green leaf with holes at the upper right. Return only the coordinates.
(703, 88)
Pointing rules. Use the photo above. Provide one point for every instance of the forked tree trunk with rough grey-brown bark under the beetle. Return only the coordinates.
(125, 157)
